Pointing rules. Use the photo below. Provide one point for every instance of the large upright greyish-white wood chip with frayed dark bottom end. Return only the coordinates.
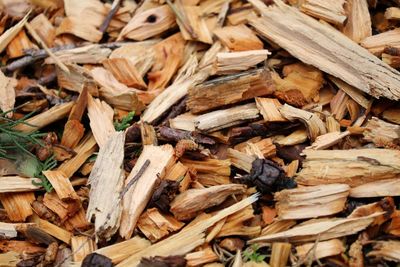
(107, 179)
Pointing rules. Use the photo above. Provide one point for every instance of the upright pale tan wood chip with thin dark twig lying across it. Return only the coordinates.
(137, 196)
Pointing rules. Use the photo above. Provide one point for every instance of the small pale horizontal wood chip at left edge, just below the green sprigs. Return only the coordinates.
(12, 184)
